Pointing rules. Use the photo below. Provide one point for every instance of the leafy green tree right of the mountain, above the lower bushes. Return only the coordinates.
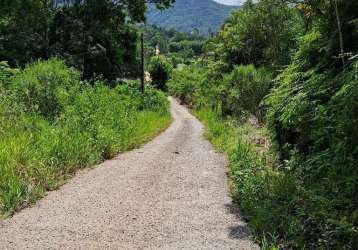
(262, 34)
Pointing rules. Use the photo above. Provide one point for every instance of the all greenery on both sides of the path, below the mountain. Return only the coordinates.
(276, 87)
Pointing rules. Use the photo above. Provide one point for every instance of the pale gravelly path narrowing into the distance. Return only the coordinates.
(170, 194)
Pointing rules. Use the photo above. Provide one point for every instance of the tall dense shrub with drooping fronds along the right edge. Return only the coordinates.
(314, 126)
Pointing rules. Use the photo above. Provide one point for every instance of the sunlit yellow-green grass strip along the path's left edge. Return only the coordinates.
(33, 162)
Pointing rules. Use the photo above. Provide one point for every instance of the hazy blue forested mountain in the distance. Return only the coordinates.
(188, 15)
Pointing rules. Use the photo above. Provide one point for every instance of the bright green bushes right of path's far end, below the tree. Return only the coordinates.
(236, 93)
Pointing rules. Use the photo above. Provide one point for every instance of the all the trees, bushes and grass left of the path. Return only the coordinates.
(66, 101)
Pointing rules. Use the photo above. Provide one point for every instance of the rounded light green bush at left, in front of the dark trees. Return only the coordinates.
(43, 87)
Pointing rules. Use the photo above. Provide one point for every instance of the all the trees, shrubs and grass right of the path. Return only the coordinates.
(277, 88)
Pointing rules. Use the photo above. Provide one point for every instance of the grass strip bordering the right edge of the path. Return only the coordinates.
(250, 169)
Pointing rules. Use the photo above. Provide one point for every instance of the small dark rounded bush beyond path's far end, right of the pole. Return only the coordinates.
(160, 70)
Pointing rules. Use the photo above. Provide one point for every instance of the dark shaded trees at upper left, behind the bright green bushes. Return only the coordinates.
(96, 36)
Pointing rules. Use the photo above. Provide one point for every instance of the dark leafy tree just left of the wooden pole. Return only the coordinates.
(95, 38)
